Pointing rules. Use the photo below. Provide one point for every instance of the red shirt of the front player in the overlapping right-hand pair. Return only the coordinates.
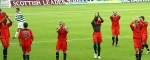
(136, 31)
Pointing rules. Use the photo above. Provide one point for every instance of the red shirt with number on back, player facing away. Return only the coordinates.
(26, 37)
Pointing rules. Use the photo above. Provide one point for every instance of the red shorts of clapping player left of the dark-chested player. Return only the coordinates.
(61, 45)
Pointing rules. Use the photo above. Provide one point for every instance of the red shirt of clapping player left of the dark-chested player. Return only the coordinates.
(62, 34)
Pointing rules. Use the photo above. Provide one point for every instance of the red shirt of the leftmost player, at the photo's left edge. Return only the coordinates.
(5, 30)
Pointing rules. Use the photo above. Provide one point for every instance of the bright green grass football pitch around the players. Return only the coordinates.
(43, 21)
